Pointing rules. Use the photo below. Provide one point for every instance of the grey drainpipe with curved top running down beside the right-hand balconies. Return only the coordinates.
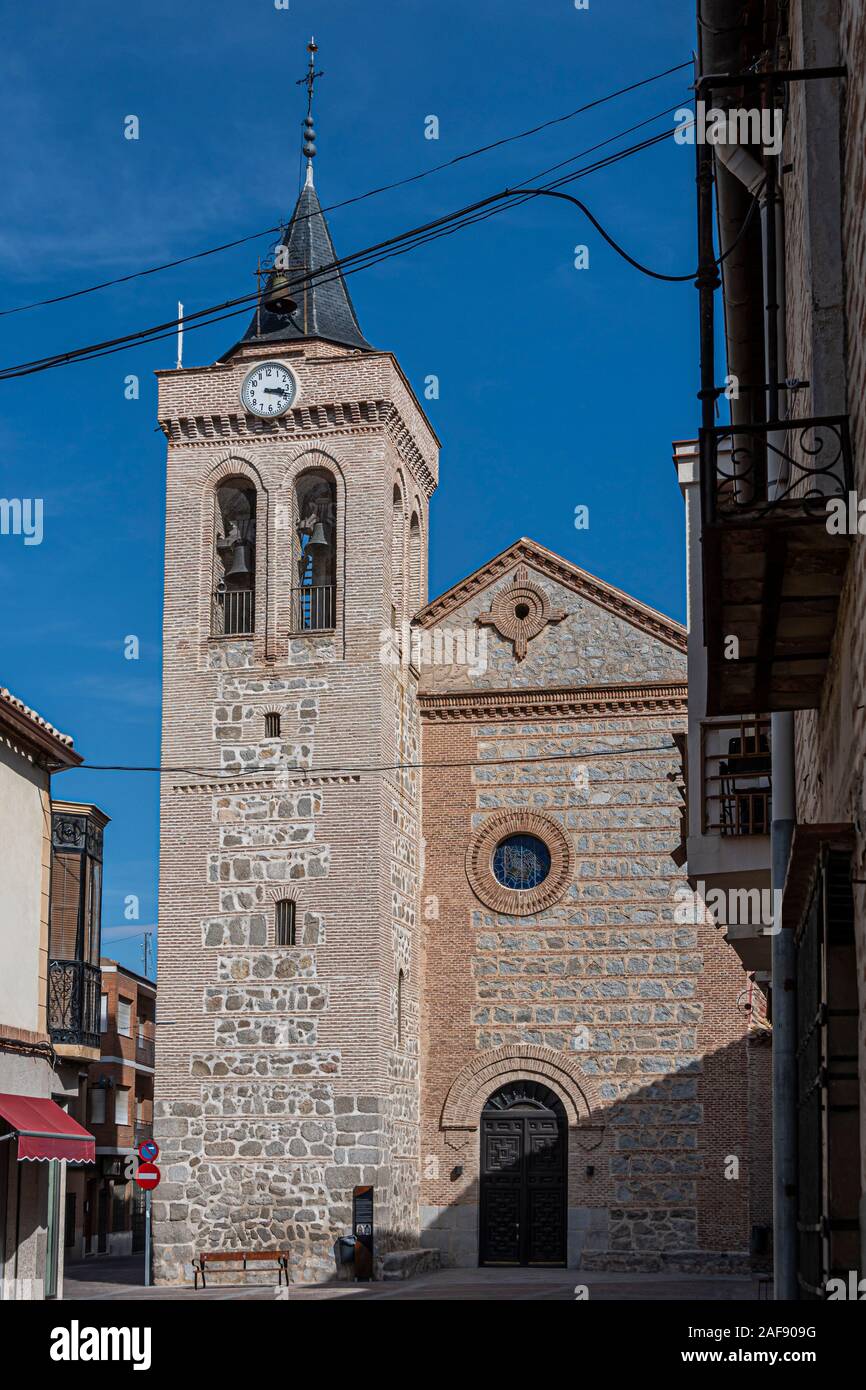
(744, 167)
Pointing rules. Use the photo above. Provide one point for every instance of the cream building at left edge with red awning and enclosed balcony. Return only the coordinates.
(51, 860)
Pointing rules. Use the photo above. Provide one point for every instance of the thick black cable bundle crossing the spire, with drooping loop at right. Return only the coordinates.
(345, 266)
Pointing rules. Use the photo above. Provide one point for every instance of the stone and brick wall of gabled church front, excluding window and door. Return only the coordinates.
(632, 1015)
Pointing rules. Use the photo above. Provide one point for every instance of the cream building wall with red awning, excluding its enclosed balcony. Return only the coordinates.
(41, 1140)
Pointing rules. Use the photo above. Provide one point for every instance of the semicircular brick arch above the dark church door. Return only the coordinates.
(489, 1071)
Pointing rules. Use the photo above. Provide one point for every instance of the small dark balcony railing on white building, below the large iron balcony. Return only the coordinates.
(737, 786)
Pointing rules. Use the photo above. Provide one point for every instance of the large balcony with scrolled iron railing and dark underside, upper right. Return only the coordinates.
(772, 571)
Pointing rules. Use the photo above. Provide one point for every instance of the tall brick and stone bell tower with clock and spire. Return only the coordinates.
(300, 473)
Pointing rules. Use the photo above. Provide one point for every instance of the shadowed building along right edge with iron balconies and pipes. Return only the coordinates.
(782, 573)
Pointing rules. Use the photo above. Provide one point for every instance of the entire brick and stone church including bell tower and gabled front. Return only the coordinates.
(419, 864)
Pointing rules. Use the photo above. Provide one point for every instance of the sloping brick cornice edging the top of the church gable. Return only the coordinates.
(572, 578)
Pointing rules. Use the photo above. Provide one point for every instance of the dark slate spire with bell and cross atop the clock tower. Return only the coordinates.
(325, 306)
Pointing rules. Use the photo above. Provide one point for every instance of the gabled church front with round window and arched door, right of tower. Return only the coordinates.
(565, 957)
